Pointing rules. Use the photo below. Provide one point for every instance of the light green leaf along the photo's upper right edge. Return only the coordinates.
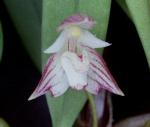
(140, 12)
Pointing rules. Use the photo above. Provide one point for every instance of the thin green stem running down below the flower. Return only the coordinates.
(93, 108)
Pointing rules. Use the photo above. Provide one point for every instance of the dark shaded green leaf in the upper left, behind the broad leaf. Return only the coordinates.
(26, 16)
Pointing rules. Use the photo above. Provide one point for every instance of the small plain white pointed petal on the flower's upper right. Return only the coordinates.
(91, 41)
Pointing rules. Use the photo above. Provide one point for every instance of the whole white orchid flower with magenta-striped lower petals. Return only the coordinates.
(74, 61)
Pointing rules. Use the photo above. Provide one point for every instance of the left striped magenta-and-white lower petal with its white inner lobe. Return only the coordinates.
(52, 76)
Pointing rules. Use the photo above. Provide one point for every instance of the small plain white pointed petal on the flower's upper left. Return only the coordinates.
(58, 44)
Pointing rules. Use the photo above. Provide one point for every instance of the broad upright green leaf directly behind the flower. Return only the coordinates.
(66, 108)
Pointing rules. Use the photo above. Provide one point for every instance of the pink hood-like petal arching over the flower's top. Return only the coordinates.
(81, 20)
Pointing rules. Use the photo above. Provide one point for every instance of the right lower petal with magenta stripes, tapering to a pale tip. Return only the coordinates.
(100, 74)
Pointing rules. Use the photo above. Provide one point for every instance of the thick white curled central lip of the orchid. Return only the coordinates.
(75, 69)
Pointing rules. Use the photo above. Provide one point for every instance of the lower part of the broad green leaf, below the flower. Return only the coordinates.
(65, 109)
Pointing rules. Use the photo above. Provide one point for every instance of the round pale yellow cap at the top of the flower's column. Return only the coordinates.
(75, 31)
